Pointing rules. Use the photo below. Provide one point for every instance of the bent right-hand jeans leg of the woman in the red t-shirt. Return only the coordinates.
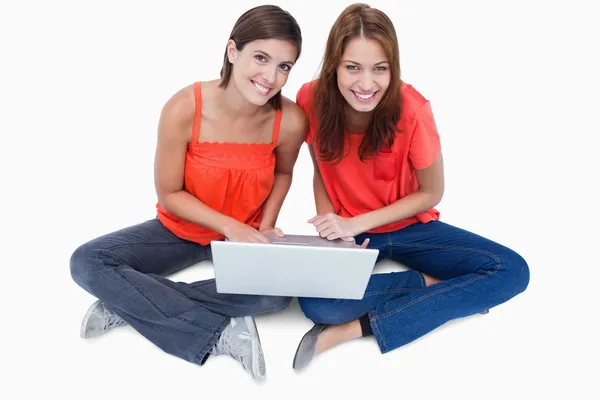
(477, 274)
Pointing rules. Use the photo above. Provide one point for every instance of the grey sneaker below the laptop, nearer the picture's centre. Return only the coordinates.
(240, 340)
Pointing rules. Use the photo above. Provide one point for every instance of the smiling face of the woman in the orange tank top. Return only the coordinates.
(261, 68)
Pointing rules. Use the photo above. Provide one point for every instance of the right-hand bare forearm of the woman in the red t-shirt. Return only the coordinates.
(409, 206)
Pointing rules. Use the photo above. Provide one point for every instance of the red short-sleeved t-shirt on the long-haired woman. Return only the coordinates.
(356, 187)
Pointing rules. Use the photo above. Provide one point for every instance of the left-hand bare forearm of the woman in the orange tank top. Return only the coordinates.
(185, 206)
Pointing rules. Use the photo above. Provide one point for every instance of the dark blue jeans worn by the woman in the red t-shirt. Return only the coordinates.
(477, 274)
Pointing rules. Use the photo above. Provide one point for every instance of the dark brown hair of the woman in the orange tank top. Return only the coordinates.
(262, 22)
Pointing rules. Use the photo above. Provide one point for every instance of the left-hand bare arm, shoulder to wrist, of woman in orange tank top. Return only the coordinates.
(174, 132)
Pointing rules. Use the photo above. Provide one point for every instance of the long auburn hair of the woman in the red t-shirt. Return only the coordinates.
(357, 20)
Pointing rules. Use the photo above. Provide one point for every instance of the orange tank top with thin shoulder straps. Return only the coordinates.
(234, 179)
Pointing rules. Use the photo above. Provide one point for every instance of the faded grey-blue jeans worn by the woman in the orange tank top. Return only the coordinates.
(126, 270)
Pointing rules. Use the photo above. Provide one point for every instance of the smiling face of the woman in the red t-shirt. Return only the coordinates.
(363, 75)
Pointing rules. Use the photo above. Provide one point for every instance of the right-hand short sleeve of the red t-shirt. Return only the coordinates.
(425, 146)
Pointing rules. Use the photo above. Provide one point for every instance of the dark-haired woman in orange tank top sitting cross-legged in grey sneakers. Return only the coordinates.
(224, 159)
